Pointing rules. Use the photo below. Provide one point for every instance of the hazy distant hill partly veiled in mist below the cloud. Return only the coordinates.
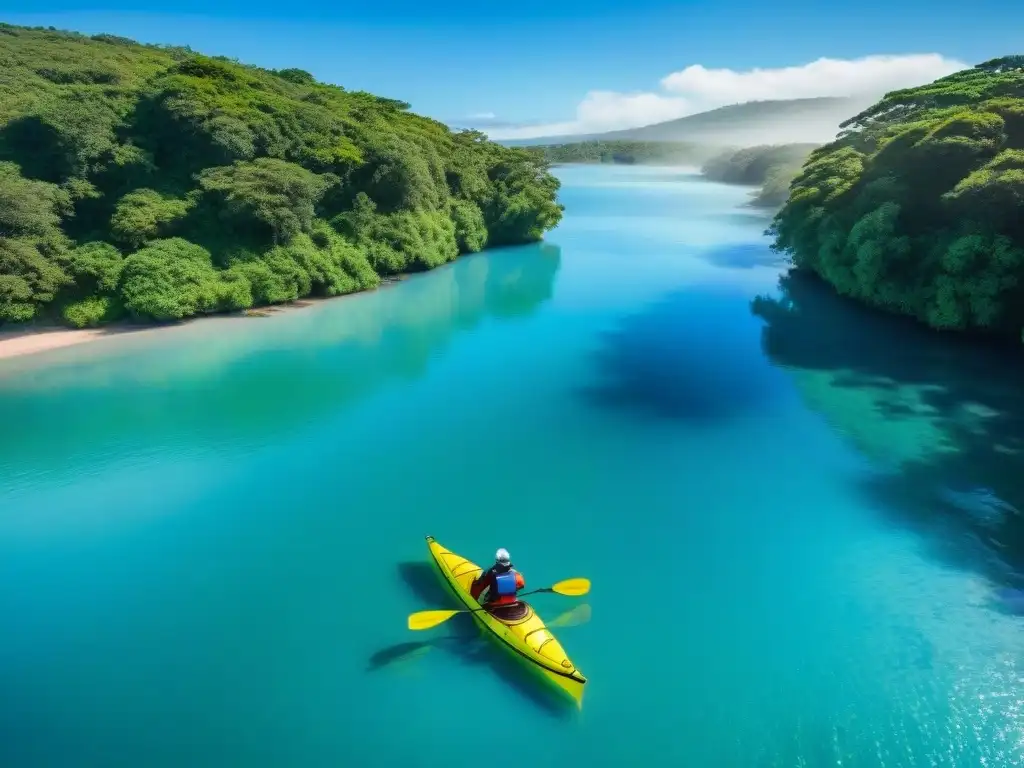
(798, 120)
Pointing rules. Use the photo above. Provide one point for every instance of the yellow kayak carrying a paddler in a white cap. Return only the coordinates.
(519, 628)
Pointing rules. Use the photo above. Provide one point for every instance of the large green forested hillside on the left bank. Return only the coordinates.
(157, 184)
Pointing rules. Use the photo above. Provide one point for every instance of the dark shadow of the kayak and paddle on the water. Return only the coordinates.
(463, 641)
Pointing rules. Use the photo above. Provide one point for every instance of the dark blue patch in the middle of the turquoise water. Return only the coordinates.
(692, 357)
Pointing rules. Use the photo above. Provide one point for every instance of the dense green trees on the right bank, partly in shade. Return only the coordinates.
(917, 207)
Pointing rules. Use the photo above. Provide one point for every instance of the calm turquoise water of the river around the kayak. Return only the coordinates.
(210, 537)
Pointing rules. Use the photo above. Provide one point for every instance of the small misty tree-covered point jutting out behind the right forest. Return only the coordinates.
(773, 167)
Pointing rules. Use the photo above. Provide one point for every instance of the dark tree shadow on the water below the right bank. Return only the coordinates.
(941, 417)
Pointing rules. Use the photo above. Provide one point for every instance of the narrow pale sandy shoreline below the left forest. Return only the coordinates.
(30, 340)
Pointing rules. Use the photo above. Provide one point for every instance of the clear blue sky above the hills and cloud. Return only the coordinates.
(537, 61)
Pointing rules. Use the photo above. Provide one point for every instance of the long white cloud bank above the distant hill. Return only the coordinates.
(697, 90)
